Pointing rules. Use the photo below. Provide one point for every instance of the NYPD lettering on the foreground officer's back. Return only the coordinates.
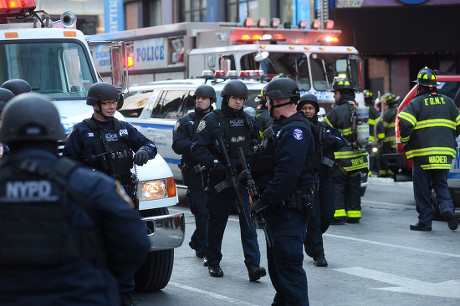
(29, 191)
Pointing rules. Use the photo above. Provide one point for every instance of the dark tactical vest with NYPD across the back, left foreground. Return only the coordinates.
(34, 213)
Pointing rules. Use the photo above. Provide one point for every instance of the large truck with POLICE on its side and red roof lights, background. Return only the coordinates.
(312, 57)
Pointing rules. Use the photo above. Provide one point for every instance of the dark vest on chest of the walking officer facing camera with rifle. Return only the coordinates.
(236, 131)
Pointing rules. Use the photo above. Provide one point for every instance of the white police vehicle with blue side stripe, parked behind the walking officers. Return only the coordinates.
(155, 108)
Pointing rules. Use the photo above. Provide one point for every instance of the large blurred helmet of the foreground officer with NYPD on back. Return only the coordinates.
(31, 117)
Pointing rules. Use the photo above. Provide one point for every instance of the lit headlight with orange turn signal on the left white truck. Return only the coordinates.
(157, 189)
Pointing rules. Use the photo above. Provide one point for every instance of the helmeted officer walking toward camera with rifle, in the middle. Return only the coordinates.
(237, 130)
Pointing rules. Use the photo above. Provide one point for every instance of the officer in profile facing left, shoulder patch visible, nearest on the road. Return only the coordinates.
(285, 198)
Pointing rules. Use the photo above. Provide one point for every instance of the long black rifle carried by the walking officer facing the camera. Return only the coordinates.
(232, 179)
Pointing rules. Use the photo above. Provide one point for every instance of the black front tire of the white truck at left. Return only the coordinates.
(155, 272)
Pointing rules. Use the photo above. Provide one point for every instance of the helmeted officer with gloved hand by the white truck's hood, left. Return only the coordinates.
(104, 143)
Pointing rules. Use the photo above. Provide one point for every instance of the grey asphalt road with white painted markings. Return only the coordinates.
(376, 262)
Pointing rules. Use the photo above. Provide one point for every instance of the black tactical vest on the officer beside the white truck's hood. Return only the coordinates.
(112, 154)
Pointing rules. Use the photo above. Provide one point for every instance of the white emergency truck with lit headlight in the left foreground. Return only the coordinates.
(55, 59)
